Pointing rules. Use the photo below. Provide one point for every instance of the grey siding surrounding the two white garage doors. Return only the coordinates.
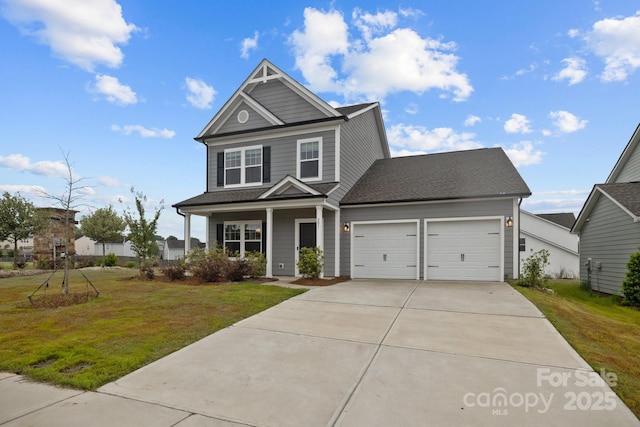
(421, 211)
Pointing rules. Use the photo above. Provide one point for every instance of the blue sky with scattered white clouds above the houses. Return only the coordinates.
(123, 87)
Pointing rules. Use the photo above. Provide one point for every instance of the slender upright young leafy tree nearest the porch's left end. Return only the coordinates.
(141, 230)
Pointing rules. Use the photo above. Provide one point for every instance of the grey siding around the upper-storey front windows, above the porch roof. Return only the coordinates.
(283, 157)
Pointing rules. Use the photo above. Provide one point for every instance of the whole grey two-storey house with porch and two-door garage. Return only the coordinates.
(286, 170)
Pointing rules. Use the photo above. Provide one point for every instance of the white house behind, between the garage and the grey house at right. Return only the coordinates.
(553, 233)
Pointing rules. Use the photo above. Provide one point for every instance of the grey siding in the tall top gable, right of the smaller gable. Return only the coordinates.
(284, 103)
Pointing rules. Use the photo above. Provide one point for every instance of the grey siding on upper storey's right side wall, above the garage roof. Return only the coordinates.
(360, 146)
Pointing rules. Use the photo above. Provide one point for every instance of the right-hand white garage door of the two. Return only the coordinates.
(464, 250)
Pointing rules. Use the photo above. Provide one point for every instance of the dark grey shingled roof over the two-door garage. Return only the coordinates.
(482, 173)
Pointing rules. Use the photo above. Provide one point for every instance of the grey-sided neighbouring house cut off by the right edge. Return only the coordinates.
(609, 223)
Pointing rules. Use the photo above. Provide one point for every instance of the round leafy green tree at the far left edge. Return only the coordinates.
(19, 220)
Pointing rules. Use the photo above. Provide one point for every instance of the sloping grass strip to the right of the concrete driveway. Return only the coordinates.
(604, 333)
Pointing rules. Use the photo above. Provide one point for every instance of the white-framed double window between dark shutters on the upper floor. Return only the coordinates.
(243, 166)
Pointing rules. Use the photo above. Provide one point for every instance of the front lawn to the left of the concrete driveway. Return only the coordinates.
(130, 324)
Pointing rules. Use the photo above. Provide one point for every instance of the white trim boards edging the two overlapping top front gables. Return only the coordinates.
(264, 73)
